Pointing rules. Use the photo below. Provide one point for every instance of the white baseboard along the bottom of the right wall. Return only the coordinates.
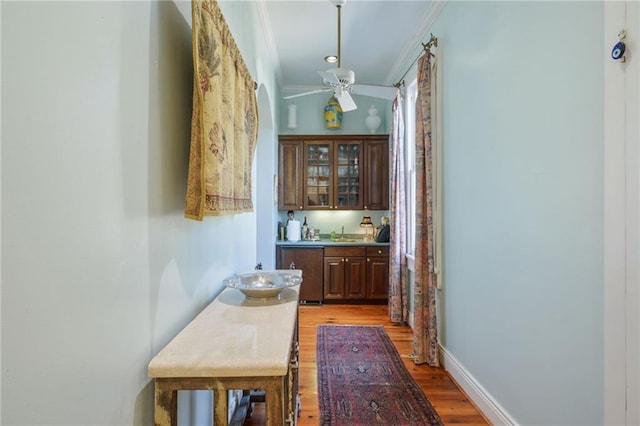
(474, 390)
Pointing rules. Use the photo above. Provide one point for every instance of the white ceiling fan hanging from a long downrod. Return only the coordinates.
(342, 80)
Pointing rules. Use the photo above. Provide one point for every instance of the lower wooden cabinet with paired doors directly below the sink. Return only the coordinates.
(344, 273)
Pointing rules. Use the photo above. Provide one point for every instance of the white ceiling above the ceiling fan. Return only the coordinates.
(378, 38)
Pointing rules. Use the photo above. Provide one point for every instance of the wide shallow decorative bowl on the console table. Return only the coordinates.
(262, 285)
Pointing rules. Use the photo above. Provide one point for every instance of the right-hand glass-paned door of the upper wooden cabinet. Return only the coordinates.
(348, 175)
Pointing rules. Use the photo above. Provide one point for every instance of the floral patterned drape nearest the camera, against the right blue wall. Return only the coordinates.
(425, 345)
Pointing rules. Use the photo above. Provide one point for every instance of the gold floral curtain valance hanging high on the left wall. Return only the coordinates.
(224, 121)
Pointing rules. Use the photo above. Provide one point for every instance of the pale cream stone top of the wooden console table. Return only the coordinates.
(233, 337)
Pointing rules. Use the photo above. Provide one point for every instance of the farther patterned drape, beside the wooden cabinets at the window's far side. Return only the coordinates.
(398, 304)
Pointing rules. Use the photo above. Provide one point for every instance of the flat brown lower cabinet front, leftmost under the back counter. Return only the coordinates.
(310, 261)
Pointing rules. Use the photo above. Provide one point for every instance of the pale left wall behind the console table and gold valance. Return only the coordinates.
(99, 268)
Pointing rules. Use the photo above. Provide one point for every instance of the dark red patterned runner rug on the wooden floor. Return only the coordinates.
(362, 380)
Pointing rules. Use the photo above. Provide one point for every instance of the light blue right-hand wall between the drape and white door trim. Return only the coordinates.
(523, 203)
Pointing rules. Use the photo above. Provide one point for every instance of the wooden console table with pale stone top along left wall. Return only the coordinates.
(235, 343)
